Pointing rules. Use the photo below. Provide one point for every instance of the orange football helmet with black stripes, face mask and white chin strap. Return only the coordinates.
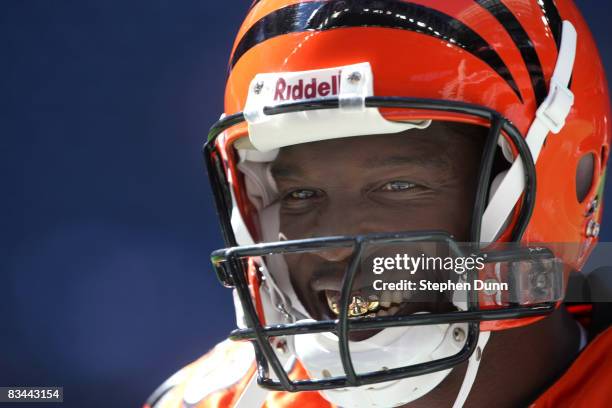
(526, 71)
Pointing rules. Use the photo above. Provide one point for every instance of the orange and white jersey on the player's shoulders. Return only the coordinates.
(217, 380)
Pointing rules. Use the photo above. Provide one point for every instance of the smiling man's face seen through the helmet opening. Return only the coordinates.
(411, 181)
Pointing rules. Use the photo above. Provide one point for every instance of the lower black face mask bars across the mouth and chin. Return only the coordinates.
(229, 261)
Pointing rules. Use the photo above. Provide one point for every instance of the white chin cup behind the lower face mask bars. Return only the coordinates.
(388, 349)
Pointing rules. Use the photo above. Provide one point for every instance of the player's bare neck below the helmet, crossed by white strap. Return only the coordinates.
(519, 364)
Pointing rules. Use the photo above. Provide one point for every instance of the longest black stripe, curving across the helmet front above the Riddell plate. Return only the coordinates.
(327, 15)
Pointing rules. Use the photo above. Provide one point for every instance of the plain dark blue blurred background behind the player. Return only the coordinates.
(106, 220)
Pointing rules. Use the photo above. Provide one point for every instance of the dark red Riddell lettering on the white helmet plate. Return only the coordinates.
(300, 90)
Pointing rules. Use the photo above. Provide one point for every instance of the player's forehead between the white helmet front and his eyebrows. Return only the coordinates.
(436, 146)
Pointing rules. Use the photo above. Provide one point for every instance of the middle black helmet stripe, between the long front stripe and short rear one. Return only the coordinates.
(522, 41)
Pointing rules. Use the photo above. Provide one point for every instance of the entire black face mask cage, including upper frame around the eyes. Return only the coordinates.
(231, 270)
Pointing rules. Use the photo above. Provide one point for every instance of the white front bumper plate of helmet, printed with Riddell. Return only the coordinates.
(352, 83)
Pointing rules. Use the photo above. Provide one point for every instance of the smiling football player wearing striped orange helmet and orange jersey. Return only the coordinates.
(473, 134)
